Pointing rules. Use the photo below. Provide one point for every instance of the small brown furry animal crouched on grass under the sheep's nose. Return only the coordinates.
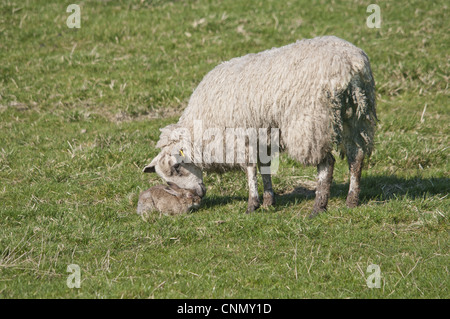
(170, 200)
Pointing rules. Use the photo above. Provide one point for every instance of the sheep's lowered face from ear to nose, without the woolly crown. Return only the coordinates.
(171, 169)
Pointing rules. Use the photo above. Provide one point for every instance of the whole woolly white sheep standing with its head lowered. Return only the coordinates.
(319, 93)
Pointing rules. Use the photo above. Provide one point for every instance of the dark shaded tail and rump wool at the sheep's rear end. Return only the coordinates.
(358, 114)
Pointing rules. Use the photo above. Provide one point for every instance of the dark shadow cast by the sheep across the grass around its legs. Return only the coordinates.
(379, 188)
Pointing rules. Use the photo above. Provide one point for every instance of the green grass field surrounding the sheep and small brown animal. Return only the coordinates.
(80, 112)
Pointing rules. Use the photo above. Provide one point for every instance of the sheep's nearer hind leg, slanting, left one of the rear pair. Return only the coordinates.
(325, 177)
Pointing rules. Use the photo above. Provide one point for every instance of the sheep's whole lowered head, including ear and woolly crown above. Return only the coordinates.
(170, 165)
